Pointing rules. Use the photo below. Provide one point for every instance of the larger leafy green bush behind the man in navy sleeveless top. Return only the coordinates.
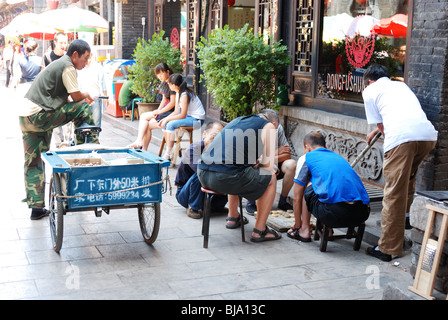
(240, 70)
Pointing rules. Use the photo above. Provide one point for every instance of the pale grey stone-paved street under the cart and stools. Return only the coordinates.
(106, 258)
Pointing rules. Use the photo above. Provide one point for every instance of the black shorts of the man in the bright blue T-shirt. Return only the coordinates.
(336, 215)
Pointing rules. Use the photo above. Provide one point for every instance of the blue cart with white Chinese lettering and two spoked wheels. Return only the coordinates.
(104, 179)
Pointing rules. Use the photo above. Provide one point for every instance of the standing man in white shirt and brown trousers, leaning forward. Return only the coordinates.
(408, 138)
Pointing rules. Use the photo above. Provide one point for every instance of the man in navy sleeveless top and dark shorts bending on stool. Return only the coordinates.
(240, 162)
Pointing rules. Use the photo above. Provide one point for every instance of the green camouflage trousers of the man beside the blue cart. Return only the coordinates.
(36, 132)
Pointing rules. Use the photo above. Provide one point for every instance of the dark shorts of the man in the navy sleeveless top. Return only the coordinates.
(250, 183)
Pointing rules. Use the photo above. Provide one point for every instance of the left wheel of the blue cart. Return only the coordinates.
(56, 213)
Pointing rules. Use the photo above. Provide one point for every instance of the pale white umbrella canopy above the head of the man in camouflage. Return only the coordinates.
(74, 20)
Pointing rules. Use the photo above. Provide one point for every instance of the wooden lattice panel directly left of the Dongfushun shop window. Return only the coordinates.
(303, 36)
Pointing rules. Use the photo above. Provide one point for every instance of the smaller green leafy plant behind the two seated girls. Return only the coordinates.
(147, 55)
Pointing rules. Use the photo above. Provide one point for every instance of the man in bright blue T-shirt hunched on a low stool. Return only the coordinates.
(332, 190)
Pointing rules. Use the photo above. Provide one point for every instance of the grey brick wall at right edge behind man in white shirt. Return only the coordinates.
(428, 78)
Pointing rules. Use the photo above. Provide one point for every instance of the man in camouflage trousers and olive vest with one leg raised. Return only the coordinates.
(44, 108)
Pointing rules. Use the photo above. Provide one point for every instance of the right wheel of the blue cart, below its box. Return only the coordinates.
(149, 218)
